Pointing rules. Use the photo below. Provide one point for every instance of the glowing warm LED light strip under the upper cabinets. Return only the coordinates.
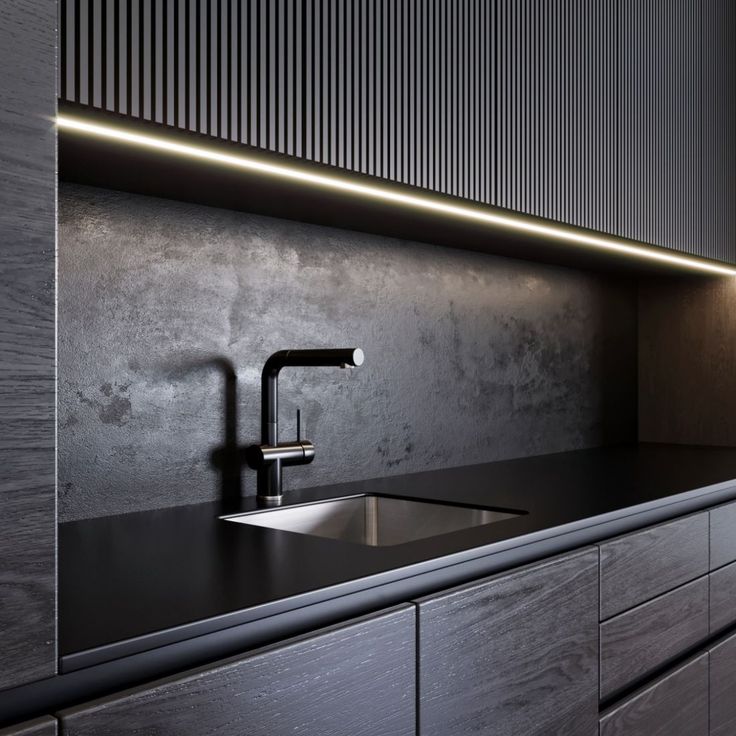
(377, 192)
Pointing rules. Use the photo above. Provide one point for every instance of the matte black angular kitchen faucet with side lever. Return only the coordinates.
(271, 456)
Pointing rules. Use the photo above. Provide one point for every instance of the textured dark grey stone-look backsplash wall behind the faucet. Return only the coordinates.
(469, 358)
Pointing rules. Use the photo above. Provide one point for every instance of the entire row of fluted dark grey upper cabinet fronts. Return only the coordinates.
(586, 112)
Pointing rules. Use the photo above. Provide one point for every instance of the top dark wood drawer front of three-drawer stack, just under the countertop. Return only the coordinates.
(638, 567)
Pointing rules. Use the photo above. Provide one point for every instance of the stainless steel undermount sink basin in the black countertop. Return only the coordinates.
(378, 521)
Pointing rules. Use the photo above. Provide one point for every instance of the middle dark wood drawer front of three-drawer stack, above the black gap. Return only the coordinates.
(637, 642)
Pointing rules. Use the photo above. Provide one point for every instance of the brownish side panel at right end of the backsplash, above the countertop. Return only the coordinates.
(687, 394)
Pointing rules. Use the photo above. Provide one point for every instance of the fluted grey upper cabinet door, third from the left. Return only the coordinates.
(555, 104)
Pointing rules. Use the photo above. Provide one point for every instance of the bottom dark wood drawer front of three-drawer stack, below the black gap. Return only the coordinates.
(675, 705)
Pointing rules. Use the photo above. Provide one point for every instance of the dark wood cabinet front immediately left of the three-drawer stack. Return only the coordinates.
(513, 654)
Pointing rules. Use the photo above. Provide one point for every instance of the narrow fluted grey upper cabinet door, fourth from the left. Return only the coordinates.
(659, 122)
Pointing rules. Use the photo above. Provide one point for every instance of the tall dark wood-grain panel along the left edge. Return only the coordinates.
(27, 341)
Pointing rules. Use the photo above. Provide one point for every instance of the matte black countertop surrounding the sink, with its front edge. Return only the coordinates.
(138, 581)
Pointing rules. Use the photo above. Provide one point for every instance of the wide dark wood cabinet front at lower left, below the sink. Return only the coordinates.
(356, 679)
